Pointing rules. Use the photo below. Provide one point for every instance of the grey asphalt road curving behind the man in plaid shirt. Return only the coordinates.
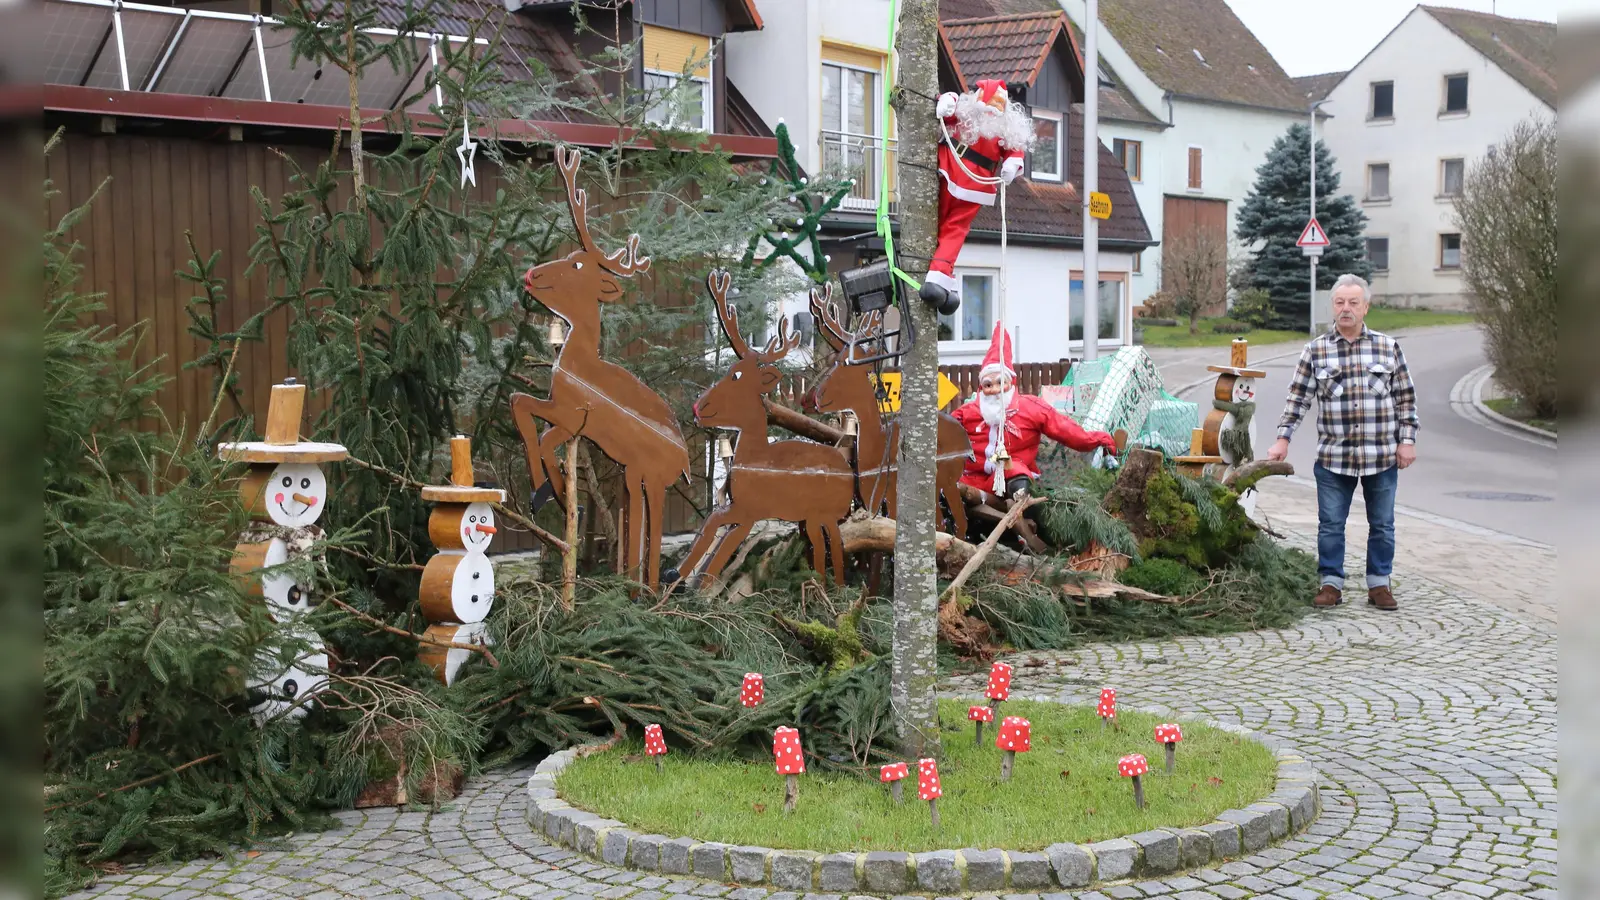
(1463, 470)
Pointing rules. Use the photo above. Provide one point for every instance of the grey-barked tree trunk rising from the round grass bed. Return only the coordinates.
(914, 670)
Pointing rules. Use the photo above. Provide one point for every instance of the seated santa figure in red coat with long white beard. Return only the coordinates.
(1006, 427)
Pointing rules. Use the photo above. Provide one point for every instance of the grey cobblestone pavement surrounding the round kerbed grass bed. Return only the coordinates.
(1434, 731)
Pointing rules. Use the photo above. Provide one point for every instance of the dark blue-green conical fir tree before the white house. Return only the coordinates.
(1276, 212)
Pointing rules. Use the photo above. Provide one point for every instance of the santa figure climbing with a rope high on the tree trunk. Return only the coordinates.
(990, 135)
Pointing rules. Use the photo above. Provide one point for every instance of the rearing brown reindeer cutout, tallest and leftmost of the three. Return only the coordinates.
(598, 400)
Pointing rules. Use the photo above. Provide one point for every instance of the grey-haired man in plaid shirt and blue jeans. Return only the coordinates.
(1366, 435)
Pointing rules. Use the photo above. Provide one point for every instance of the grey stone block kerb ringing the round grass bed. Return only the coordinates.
(1287, 811)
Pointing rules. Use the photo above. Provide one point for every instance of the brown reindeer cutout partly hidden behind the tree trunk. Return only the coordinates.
(849, 387)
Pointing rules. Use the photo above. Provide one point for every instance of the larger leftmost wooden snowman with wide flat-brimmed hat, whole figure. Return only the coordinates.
(286, 492)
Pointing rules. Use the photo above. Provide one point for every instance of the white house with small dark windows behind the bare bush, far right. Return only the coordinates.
(1409, 123)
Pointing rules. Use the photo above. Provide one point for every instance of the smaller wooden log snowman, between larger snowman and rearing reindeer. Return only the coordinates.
(458, 584)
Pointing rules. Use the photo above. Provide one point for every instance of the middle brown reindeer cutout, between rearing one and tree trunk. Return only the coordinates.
(794, 481)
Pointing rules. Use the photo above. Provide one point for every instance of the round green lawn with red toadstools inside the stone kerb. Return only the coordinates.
(1065, 790)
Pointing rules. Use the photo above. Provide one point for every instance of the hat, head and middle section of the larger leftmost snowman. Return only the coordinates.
(286, 492)
